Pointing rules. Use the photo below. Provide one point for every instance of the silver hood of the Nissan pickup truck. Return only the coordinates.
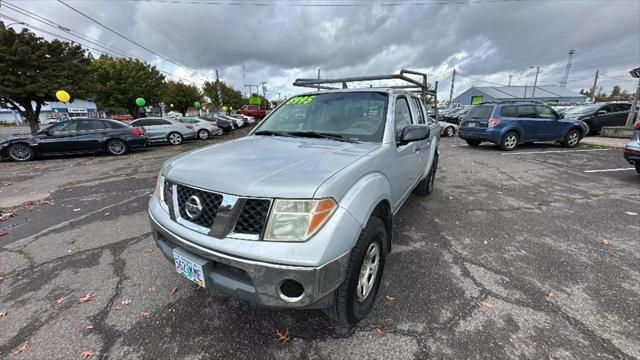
(265, 166)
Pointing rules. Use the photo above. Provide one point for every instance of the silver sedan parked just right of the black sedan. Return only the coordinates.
(166, 130)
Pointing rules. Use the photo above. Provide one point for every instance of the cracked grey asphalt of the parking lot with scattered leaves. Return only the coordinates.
(524, 254)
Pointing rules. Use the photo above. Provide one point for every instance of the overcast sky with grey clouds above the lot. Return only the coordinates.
(486, 41)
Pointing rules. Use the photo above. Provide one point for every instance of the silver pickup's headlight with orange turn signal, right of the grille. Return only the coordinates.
(298, 220)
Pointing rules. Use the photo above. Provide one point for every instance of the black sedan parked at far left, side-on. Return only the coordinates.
(74, 137)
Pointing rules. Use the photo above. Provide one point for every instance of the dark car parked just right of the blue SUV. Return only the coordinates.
(595, 116)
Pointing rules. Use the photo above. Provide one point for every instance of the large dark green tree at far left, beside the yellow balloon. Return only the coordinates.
(33, 69)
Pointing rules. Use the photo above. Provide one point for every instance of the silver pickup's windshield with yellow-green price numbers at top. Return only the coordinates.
(355, 115)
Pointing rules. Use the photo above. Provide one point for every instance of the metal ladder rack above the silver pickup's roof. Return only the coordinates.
(421, 86)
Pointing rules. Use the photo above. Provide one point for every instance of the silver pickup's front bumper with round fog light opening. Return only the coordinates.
(257, 281)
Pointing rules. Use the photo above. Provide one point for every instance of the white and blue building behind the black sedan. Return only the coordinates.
(54, 111)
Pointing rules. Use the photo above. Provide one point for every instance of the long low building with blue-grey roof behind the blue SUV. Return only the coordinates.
(549, 94)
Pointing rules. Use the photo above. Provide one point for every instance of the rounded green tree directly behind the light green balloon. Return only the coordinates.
(119, 82)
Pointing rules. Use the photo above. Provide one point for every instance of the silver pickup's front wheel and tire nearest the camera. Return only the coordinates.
(352, 302)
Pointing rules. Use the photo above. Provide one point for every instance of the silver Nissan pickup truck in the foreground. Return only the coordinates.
(299, 213)
